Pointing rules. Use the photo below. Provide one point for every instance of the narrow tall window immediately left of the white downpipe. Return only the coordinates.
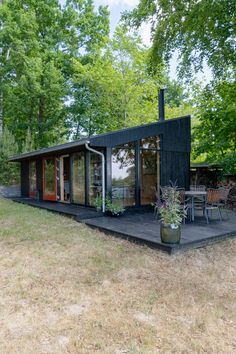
(95, 177)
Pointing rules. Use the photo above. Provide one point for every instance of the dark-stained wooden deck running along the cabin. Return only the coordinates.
(142, 226)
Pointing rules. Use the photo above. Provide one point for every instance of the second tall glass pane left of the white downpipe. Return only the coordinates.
(78, 181)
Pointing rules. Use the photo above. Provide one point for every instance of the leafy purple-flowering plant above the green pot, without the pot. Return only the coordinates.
(170, 209)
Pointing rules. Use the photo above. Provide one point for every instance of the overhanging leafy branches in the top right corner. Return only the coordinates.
(201, 30)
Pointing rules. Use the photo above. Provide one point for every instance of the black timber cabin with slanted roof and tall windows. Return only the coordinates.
(137, 161)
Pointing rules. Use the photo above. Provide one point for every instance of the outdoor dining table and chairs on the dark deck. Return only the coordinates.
(200, 198)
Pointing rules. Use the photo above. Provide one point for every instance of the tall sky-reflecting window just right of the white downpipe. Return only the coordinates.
(123, 174)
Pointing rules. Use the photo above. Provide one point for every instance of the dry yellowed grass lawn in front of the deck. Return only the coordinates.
(65, 288)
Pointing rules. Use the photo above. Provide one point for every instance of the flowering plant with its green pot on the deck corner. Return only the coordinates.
(171, 215)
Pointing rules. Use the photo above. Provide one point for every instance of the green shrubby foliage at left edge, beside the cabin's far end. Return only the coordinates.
(9, 172)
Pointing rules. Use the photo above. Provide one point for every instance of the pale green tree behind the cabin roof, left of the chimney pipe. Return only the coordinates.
(115, 90)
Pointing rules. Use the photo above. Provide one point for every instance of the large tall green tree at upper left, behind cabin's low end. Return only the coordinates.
(39, 40)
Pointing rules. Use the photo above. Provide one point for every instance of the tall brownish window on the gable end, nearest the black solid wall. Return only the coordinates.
(150, 169)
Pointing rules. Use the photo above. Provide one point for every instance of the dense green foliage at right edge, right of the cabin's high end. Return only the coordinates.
(215, 136)
